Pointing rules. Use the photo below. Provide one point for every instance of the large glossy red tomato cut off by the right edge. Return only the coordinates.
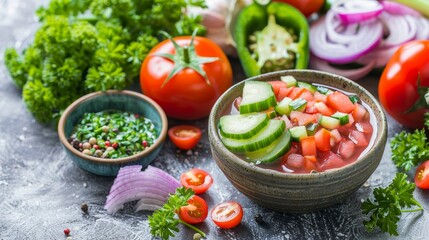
(404, 82)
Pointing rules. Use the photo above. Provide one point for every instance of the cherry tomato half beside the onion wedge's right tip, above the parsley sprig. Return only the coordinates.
(196, 179)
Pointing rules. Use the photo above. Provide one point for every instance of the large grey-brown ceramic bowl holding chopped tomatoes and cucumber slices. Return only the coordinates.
(298, 193)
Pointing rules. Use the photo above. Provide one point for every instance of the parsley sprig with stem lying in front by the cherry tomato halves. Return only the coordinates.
(163, 222)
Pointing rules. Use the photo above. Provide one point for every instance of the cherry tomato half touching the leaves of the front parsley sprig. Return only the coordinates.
(195, 212)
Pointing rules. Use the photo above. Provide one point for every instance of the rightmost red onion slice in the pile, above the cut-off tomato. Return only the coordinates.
(401, 29)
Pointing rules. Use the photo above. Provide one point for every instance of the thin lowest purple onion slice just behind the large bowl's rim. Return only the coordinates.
(353, 74)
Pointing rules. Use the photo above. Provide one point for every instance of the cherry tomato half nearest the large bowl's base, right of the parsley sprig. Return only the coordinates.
(227, 214)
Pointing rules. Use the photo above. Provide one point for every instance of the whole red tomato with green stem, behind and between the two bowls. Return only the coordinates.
(201, 73)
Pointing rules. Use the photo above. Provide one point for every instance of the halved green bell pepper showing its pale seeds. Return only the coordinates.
(271, 38)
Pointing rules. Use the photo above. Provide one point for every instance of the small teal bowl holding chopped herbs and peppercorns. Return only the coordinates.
(112, 100)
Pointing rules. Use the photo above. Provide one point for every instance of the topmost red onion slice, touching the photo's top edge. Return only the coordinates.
(356, 11)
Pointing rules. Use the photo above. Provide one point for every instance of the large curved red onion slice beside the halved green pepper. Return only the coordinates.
(367, 38)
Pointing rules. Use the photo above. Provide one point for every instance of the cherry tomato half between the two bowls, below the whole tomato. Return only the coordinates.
(185, 136)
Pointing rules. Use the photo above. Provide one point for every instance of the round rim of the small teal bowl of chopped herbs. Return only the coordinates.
(135, 157)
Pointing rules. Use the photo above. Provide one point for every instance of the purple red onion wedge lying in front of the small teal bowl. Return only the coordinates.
(151, 187)
